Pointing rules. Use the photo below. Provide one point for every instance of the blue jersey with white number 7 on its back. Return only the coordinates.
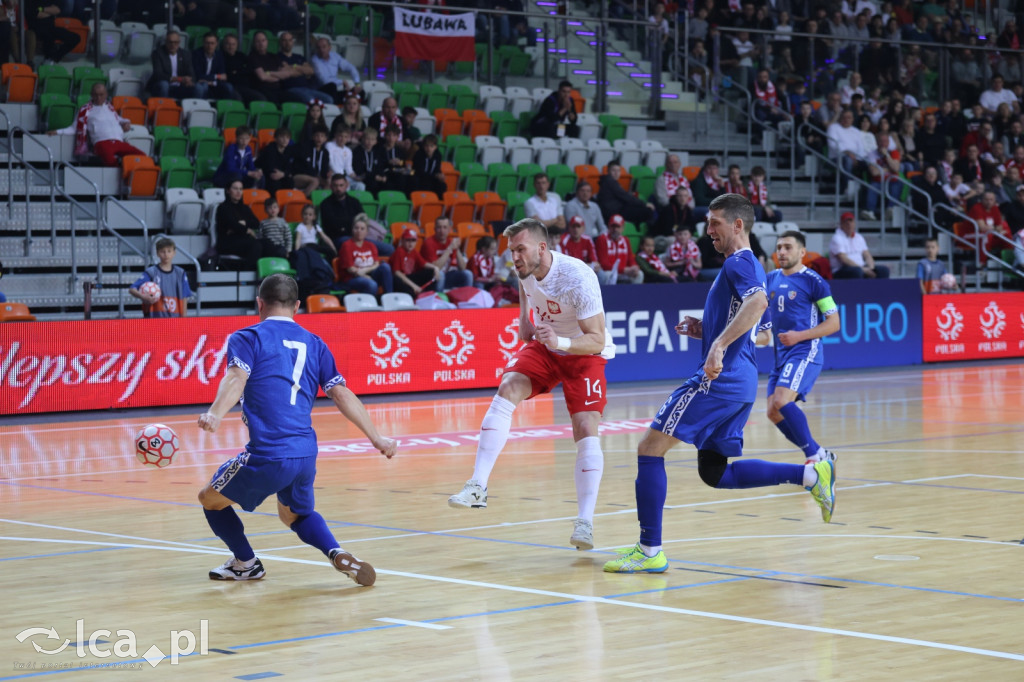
(286, 365)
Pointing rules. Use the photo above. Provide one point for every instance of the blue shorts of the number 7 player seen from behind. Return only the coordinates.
(249, 480)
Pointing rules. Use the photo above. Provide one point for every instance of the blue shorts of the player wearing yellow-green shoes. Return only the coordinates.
(707, 421)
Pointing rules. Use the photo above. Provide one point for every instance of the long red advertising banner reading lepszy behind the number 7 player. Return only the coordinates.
(67, 366)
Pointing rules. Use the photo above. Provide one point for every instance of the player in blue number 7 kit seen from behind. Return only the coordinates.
(276, 368)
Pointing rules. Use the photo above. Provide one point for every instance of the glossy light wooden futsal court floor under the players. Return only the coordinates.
(919, 578)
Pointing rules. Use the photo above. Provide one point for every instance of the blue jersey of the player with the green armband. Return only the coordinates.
(797, 303)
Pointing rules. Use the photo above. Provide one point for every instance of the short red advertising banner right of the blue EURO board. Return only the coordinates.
(973, 326)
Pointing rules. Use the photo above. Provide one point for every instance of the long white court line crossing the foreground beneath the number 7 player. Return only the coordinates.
(603, 601)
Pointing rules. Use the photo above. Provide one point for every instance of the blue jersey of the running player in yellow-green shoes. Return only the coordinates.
(742, 277)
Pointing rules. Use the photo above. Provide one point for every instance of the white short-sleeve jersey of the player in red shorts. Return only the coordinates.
(569, 293)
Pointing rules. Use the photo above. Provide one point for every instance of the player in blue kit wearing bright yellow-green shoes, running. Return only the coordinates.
(711, 408)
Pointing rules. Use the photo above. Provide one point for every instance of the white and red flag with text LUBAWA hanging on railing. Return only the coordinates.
(430, 36)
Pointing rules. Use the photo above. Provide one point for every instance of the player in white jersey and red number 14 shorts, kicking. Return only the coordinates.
(567, 344)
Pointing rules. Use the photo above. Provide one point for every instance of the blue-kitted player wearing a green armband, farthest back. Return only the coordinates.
(802, 313)
